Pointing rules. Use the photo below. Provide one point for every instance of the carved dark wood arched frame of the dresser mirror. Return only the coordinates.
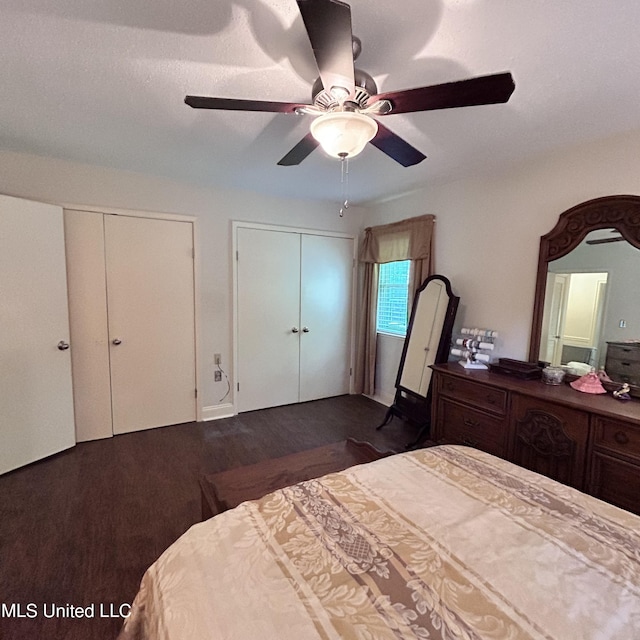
(620, 212)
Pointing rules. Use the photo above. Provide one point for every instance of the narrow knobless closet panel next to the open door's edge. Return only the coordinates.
(84, 238)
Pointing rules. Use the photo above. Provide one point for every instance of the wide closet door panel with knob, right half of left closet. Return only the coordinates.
(150, 293)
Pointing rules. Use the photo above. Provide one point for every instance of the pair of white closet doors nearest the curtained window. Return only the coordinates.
(294, 317)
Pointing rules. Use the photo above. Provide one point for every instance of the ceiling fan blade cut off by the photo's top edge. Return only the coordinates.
(328, 25)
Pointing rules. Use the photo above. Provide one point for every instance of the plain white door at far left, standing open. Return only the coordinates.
(36, 402)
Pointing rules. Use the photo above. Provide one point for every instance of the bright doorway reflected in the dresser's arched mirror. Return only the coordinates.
(573, 321)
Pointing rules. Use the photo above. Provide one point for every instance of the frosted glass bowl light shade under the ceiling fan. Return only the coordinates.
(343, 134)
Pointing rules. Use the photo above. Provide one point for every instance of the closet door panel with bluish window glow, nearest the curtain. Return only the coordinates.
(325, 349)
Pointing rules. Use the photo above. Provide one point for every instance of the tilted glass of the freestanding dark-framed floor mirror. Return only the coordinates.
(425, 337)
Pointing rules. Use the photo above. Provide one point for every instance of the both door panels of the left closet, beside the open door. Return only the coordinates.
(131, 308)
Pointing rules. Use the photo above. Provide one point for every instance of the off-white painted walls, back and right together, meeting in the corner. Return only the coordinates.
(486, 241)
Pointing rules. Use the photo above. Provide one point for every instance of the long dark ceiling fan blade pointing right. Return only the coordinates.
(491, 89)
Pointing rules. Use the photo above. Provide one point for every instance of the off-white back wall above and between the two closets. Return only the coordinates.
(61, 182)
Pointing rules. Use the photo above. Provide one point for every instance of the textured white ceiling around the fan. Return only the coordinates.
(103, 82)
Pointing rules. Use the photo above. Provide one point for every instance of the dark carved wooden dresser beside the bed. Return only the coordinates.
(590, 442)
